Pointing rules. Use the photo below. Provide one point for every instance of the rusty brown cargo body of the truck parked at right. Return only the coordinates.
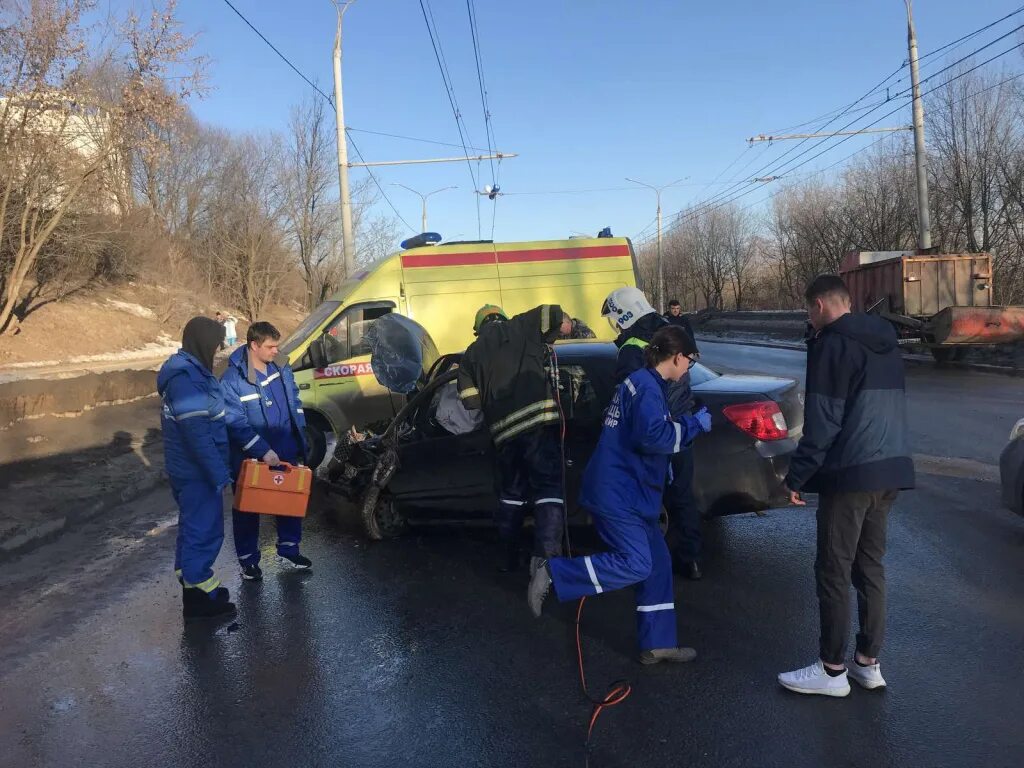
(918, 286)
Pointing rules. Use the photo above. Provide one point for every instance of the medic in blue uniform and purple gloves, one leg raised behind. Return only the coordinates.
(622, 490)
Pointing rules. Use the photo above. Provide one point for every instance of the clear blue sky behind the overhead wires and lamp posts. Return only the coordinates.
(586, 93)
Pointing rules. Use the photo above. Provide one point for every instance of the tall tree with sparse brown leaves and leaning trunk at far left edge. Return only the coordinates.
(61, 140)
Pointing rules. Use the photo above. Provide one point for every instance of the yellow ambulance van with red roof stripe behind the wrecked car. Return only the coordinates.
(441, 287)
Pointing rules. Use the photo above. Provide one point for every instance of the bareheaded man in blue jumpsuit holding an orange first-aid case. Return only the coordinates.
(266, 422)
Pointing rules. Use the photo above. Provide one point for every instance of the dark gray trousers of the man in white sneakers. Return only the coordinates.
(851, 546)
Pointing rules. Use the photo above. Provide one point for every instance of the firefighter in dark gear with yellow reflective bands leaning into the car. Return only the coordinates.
(503, 373)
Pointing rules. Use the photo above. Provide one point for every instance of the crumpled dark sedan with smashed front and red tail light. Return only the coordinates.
(430, 468)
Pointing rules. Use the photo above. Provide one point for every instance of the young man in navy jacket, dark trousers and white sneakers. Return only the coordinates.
(856, 455)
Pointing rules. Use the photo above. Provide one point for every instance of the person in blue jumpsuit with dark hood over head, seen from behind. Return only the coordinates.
(197, 462)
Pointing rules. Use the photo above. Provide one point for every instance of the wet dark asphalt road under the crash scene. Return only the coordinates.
(417, 653)
